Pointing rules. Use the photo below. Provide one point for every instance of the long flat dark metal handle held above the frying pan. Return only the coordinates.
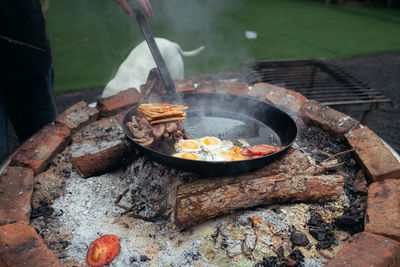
(144, 27)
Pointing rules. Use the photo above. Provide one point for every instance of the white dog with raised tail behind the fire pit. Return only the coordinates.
(134, 70)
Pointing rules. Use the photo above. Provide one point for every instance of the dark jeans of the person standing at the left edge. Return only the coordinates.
(29, 104)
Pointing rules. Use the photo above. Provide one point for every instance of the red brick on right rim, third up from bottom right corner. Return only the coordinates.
(375, 158)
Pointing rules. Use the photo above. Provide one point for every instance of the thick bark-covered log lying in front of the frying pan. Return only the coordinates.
(291, 179)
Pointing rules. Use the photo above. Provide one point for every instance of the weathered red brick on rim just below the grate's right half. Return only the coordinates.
(328, 118)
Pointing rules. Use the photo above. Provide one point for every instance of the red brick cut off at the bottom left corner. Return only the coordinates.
(20, 245)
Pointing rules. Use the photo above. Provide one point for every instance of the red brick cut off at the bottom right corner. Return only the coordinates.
(367, 250)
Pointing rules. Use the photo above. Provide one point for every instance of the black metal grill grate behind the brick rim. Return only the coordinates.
(315, 79)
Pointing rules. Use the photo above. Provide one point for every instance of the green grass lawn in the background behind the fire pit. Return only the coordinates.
(91, 38)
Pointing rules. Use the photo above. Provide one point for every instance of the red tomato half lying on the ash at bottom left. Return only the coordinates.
(103, 250)
